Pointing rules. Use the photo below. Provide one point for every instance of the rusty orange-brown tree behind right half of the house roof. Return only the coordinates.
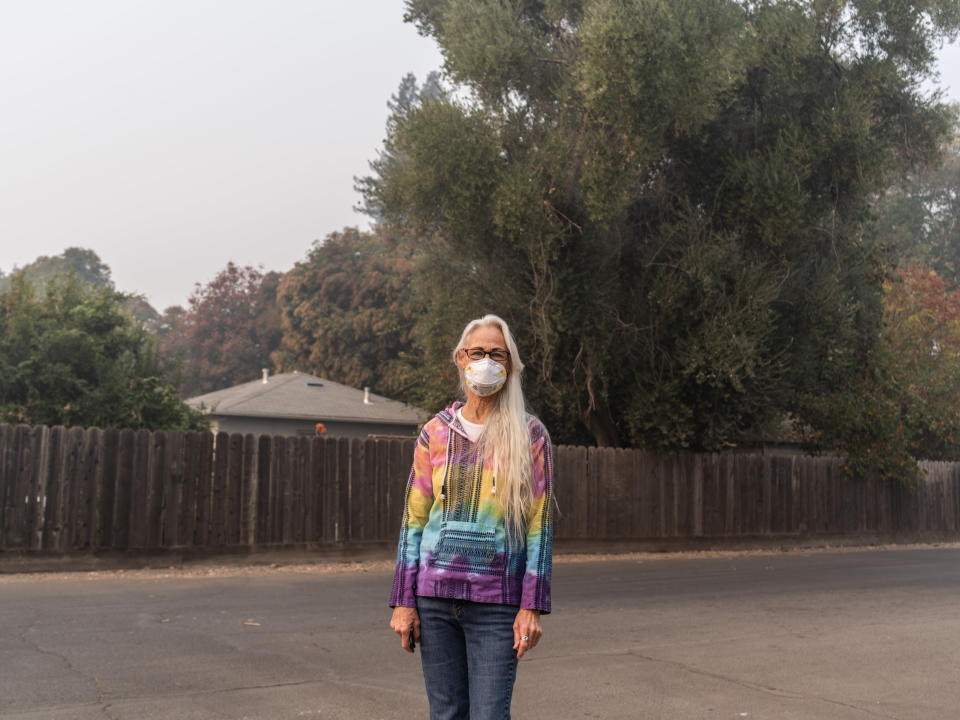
(347, 313)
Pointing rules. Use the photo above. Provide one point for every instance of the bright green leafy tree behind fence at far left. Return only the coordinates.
(72, 356)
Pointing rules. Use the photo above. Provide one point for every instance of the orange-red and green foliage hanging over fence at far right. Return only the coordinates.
(904, 403)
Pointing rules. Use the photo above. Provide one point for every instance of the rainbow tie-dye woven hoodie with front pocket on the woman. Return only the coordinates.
(452, 543)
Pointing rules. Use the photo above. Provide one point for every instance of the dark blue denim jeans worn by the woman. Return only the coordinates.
(469, 664)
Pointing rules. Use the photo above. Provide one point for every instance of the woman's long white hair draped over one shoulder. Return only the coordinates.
(506, 436)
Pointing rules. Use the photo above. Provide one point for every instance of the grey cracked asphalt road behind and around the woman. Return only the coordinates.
(831, 636)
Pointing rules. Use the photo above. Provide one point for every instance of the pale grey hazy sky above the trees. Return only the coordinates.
(171, 136)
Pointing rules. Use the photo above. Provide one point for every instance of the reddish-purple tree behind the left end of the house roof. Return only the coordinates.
(228, 332)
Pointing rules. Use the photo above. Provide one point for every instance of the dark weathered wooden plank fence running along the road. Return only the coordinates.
(80, 490)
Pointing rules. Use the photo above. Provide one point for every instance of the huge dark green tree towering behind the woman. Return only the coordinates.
(665, 197)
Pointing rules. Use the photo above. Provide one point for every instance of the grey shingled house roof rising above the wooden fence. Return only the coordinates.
(299, 396)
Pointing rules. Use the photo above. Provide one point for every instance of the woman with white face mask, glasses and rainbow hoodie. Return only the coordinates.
(474, 559)
